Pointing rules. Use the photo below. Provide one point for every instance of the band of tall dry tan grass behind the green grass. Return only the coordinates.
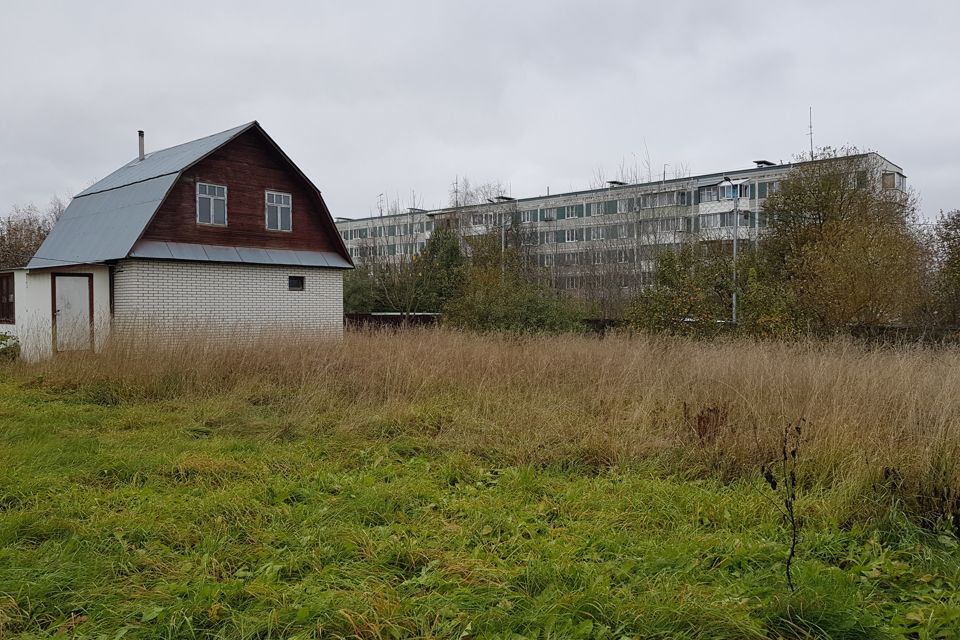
(886, 417)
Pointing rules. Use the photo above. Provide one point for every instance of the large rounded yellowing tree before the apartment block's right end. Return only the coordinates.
(842, 245)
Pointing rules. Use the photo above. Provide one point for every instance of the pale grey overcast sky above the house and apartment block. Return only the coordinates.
(395, 97)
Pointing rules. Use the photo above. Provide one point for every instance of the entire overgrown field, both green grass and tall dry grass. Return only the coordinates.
(440, 485)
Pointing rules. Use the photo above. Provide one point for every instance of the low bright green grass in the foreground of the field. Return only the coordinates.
(202, 518)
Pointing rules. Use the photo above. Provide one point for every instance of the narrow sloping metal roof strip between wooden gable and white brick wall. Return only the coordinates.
(160, 250)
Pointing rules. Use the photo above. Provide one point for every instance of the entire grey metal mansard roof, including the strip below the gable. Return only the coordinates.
(105, 221)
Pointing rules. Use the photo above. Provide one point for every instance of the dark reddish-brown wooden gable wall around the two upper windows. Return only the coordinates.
(248, 165)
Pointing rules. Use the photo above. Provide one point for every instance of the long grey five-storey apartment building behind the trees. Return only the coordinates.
(599, 242)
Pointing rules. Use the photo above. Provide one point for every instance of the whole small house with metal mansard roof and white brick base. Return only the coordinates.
(221, 235)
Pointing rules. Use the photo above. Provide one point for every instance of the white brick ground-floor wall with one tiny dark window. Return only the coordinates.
(226, 299)
